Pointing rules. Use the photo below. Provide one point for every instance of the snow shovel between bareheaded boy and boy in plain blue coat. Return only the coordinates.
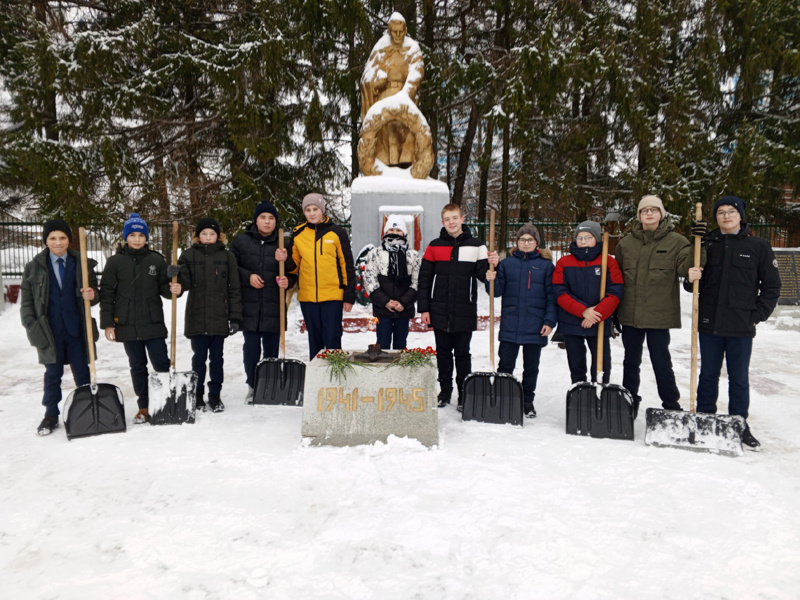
(492, 397)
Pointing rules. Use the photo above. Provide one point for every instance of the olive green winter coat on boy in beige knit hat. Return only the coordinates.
(652, 263)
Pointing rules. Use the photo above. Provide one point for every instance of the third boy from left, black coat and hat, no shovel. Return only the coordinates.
(214, 307)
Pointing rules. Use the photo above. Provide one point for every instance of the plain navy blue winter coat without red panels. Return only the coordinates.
(525, 281)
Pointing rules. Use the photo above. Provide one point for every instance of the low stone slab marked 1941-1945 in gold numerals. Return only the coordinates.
(374, 402)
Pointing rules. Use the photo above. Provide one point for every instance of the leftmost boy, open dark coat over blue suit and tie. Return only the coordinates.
(51, 308)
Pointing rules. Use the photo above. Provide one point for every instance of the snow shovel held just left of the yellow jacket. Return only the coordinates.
(280, 380)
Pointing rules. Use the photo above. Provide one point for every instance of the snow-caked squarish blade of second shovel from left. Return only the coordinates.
(173, 396)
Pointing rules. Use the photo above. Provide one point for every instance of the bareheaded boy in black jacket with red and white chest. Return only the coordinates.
(448, 297)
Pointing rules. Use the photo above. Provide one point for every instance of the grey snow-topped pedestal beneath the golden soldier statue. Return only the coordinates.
(374, 198)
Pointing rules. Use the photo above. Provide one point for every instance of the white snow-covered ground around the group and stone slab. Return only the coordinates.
(236, 506)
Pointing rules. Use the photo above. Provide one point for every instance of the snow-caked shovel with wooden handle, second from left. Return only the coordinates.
(173, 395)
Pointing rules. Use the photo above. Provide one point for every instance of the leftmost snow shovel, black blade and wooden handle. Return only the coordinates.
(96, 408)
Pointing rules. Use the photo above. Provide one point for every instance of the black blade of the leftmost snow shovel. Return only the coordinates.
(94, 410)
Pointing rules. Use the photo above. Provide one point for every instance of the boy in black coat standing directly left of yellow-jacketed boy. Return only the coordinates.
(258, 256)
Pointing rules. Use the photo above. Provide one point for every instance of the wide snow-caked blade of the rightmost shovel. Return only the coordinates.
(718, 434)
